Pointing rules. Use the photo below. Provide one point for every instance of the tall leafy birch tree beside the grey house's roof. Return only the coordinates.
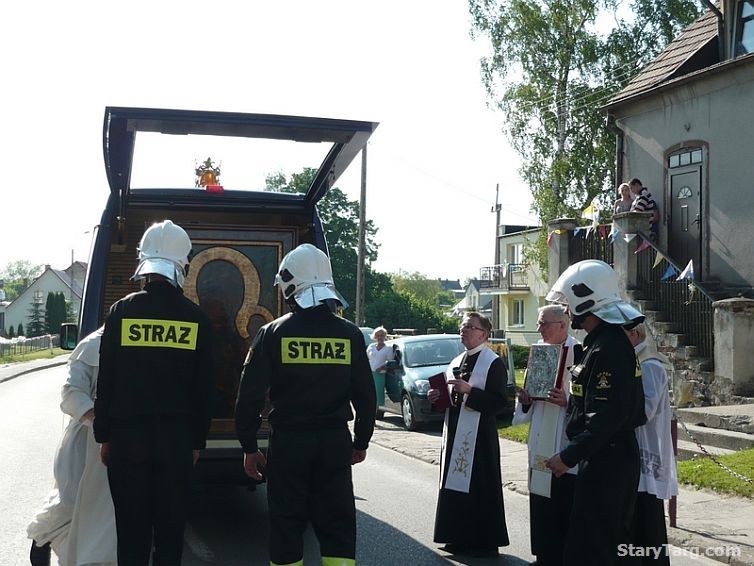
(550, 71)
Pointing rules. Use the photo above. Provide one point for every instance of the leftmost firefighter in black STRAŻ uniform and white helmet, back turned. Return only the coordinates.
(153, 404)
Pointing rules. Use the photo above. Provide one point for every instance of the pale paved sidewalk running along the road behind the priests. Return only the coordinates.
(716, 526)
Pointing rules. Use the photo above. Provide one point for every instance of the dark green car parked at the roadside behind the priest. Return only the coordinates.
(417, 358)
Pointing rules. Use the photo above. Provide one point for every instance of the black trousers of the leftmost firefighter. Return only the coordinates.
(149, 470)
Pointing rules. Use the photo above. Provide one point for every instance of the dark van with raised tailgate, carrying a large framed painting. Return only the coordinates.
(239, 238)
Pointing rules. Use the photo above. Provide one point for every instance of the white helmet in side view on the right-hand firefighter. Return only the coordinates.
(591, 286)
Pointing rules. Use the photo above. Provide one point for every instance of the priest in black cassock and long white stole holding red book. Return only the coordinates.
(470, 516)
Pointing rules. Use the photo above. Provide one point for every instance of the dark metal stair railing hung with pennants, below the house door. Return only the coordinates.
(687, 305)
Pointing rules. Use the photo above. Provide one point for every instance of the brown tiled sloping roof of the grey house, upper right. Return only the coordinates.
(672, 61)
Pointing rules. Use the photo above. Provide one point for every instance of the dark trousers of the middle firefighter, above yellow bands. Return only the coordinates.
(309, 480)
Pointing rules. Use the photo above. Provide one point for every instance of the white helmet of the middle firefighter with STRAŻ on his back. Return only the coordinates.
(305, 276)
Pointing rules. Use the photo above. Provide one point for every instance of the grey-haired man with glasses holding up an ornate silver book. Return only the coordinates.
(548, 516)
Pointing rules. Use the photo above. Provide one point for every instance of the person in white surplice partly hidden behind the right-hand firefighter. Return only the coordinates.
(659, 475)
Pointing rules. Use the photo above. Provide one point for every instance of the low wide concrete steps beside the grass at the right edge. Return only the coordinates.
(721, 430)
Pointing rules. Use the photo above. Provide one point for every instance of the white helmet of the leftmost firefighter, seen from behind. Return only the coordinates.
(164, 250)
